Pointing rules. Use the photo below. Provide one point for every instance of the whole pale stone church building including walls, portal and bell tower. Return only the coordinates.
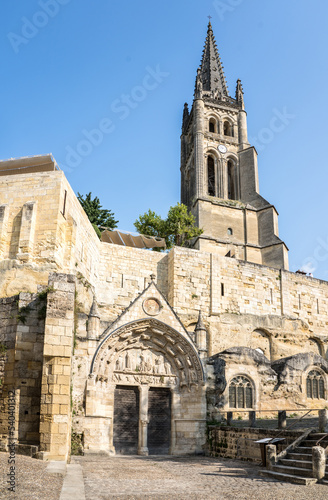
(132, 349)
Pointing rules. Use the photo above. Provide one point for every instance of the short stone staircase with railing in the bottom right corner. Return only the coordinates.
(296, 466)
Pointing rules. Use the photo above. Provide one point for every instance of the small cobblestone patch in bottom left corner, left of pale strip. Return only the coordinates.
(32, 480)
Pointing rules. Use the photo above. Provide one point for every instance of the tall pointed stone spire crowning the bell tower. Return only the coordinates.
(211, 69)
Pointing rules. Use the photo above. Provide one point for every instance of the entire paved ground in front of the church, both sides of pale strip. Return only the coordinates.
(155, 478)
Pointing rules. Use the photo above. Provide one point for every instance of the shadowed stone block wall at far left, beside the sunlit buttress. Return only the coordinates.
(21, 332)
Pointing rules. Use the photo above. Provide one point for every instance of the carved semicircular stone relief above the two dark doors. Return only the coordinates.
(147, 352)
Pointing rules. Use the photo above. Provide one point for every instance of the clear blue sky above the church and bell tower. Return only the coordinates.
(122, 70)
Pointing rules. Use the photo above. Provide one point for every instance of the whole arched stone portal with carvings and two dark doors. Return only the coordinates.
(163, 365)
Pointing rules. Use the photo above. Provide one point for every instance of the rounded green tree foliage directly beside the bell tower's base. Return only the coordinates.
(177, 228)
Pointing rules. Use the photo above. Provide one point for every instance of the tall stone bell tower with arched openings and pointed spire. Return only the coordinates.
(219, 173)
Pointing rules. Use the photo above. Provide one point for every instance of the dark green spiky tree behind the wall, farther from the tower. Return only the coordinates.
(98, 216)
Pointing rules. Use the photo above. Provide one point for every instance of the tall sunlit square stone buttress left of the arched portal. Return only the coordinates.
(55, 411)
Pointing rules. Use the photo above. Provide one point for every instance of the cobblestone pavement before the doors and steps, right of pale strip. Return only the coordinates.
(192, 478)
